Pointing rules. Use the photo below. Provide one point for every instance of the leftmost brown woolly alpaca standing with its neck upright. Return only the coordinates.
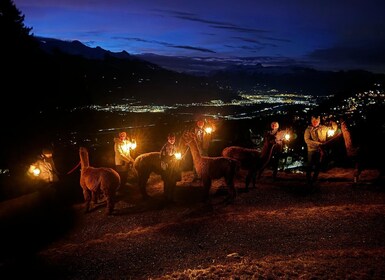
(97, 180)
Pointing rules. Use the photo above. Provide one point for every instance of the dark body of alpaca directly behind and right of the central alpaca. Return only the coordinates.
(250, 160)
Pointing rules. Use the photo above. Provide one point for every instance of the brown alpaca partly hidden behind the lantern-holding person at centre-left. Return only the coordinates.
(144, 164)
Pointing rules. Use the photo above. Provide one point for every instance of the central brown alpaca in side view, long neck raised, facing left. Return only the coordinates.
(212, 168)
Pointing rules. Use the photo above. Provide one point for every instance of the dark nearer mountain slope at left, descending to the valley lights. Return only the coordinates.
(101, 76)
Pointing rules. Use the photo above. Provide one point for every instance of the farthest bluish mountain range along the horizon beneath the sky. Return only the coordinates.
(232, 75)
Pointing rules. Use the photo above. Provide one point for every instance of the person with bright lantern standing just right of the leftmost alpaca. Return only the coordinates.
(123, 159)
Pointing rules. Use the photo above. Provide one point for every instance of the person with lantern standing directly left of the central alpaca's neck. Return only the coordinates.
(170, 167)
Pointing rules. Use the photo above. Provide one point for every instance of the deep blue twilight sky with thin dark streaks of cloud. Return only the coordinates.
(324, 34)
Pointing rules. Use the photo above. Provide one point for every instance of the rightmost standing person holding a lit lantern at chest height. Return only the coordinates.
(315, 135)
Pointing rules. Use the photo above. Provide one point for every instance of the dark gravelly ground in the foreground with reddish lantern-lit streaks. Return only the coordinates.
(279, 230)
